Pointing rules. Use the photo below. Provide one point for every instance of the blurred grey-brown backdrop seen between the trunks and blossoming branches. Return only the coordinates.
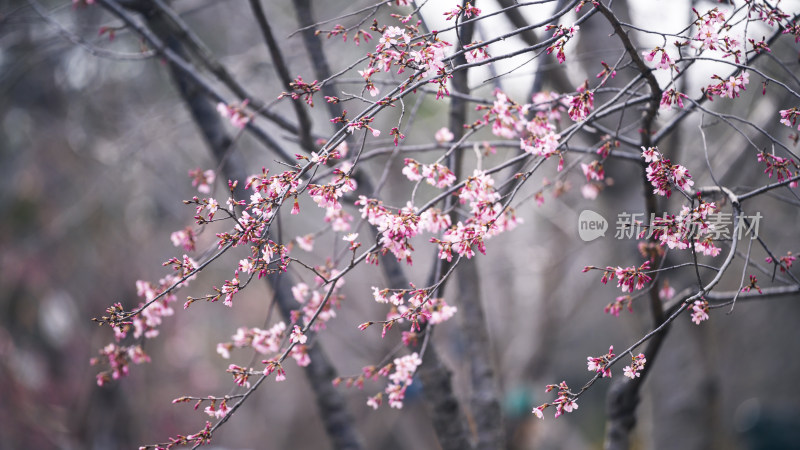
(94, 155)
